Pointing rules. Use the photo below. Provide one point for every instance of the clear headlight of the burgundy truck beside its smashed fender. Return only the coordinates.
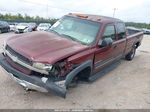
(43, 66)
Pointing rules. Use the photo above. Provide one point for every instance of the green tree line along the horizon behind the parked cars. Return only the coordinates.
(25, 17)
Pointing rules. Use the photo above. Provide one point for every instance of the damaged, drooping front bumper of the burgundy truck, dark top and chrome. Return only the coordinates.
(33, 82)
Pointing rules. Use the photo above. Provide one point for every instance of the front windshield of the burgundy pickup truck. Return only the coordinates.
(77, 29)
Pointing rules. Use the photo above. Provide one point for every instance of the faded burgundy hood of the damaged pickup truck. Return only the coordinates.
(44, 47)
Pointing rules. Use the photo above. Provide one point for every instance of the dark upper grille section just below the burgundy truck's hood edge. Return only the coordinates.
(19, 56)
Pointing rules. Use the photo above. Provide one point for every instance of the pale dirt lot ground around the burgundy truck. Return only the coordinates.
(127, 86)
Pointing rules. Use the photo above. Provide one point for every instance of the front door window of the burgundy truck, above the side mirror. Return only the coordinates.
(109, 32)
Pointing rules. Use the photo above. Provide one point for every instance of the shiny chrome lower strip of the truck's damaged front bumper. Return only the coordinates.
(25, 84)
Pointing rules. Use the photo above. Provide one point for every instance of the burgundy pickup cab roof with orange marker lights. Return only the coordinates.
(97, 18)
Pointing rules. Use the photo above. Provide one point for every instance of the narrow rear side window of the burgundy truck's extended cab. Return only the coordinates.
(121, 30)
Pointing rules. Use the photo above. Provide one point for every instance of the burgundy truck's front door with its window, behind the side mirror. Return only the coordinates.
(106, 55)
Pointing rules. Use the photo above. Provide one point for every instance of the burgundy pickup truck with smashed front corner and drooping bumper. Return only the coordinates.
(78, 47)
